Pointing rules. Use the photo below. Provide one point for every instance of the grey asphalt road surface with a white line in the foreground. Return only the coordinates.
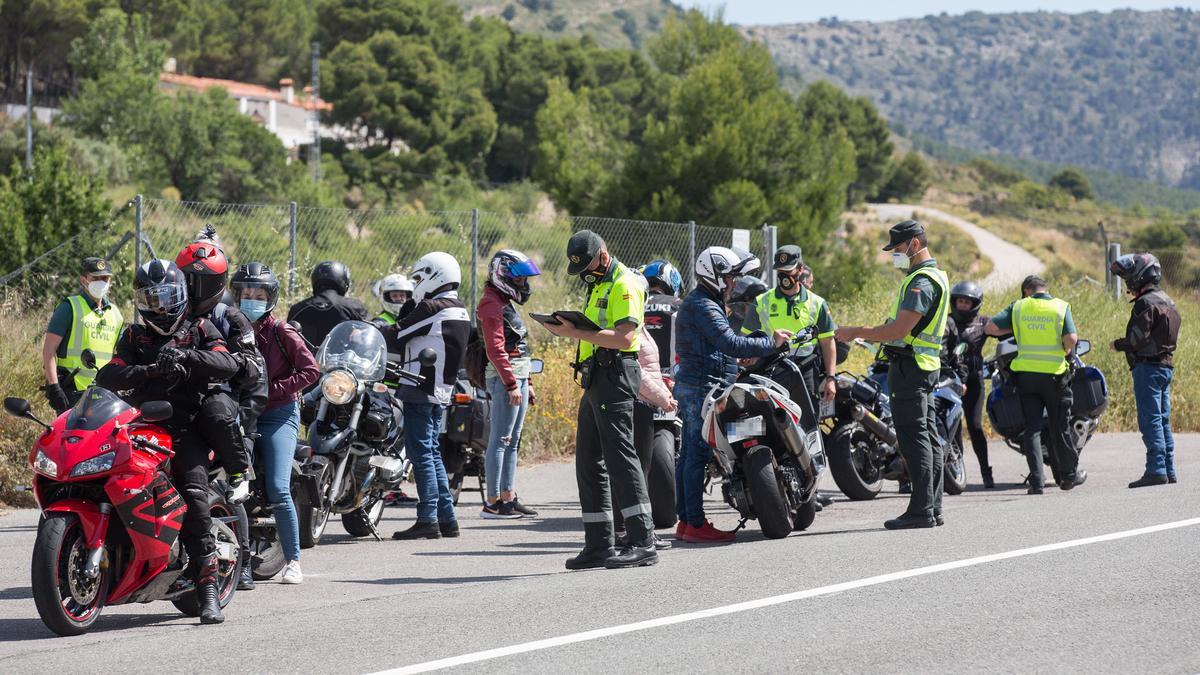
(1101, 580)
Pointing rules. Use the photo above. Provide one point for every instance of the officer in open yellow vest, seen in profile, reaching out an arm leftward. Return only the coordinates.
(913, 343)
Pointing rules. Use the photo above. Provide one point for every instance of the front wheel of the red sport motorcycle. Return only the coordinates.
(68, 601)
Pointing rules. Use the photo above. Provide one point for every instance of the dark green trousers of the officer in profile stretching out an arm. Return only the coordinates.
(913, 409)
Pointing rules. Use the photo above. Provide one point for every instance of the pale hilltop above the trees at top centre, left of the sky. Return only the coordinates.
(611, 23)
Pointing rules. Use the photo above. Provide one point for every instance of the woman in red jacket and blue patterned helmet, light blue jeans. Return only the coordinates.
(507, 342)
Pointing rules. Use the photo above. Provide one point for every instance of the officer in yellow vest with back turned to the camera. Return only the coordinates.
(1046, 333)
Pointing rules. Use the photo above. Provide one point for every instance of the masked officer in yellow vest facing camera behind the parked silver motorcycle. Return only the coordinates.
(793, 307)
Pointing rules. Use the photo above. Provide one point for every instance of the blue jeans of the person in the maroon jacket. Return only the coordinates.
(278, 432)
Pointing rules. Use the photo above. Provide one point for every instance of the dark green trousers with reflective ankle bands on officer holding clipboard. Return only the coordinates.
(605, 452)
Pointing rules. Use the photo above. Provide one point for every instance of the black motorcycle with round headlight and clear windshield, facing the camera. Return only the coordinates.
(356, 434)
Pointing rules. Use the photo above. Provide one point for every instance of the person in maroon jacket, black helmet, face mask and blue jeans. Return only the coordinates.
(291, 368)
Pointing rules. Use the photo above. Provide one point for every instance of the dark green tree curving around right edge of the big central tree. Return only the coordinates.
(867, 129)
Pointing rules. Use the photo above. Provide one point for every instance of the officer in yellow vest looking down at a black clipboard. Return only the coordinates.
(611, 379)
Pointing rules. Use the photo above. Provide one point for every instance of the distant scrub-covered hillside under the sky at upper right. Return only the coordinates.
(1115, 92)
